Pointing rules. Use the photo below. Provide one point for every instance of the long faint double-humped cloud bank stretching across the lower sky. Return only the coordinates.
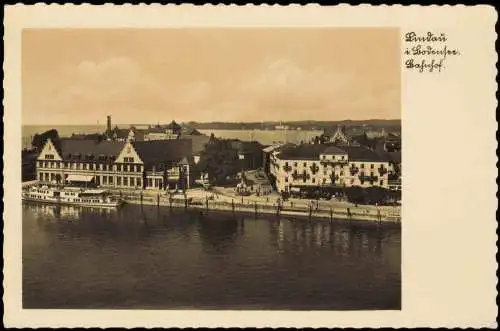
(280, 89)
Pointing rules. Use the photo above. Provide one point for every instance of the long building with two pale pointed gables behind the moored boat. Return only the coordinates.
(158, 165)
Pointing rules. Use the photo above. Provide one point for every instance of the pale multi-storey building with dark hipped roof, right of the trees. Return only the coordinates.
(294, 168)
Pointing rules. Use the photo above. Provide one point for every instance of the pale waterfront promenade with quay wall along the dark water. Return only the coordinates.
(226, 200)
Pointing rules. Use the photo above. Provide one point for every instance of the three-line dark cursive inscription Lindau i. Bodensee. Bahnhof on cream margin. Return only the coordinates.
(427, 52)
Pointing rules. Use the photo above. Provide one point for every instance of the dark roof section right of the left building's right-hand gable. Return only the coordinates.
(157, 152)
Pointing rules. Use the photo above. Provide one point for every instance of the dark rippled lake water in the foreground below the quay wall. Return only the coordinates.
(159, 259)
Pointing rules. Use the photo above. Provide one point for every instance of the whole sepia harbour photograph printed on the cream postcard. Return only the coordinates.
(231, 168)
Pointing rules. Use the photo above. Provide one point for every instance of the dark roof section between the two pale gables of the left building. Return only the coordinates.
(68, 147)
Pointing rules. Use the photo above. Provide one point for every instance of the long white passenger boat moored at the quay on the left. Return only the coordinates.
(76, 196)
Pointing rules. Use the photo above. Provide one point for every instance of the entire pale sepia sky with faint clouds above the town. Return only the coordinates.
(150, 76)
